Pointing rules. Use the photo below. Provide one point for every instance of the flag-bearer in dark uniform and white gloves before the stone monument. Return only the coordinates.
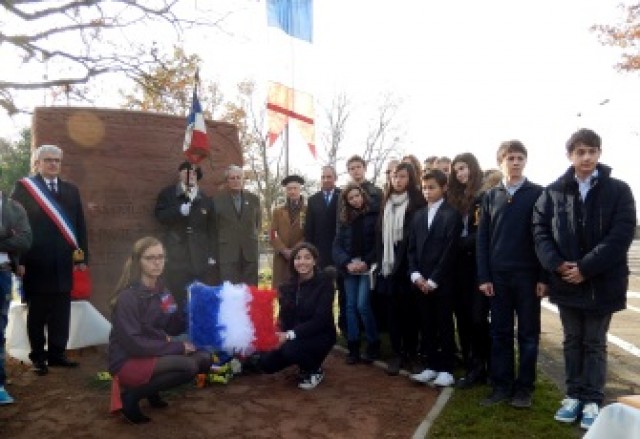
(187, 214)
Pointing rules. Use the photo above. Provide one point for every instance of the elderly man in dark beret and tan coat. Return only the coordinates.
(287, 227)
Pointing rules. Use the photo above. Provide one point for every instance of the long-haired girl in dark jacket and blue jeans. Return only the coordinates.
(354, 252)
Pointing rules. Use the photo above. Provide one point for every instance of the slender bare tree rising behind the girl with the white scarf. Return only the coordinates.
(383, 137)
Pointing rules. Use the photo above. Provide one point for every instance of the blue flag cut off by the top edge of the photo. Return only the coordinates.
(294, 17)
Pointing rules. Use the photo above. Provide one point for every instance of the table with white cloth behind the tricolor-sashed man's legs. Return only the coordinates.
(87, 327)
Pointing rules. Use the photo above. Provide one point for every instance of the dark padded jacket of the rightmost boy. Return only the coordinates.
(596, 233)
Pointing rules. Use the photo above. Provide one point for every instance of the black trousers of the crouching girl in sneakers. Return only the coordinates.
(308, 354)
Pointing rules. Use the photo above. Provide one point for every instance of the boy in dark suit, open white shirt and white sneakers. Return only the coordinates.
(433, 238)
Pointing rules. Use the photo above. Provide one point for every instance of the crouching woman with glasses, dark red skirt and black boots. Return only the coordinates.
(143, 359)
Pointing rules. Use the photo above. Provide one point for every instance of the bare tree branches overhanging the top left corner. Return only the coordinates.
(78, 40)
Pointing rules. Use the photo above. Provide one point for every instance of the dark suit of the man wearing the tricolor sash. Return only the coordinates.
(48, 269)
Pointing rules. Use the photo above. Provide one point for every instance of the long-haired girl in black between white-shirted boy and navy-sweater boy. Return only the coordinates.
(471, 308)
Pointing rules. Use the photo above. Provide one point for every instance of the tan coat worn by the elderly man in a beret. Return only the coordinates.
(285, 235)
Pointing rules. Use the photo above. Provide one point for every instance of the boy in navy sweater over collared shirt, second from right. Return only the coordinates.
(510, 275)
